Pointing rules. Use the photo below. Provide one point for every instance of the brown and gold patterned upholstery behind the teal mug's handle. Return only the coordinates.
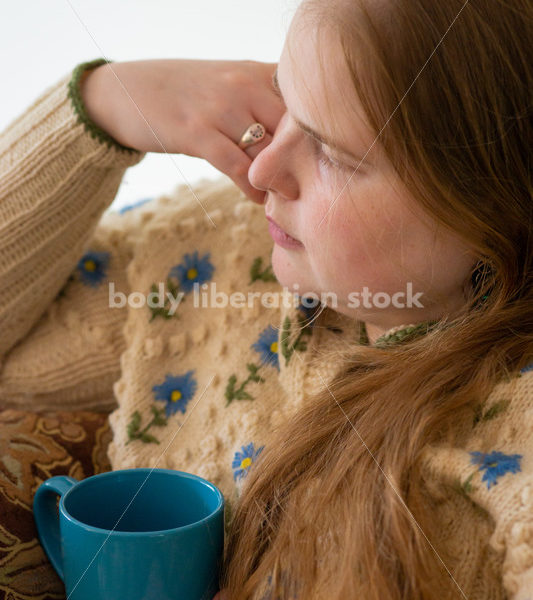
(34, 447)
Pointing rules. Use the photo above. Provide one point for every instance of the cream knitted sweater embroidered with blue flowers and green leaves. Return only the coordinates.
(196, 386)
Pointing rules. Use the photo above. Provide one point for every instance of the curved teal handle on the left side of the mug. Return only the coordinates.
(46, 519)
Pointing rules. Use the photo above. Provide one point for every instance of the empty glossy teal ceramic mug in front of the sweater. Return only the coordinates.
(137, 534)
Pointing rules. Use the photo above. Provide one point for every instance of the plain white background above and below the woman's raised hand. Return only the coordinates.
(43, 40)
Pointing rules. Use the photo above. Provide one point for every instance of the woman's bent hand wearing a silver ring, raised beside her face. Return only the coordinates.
(195, 107)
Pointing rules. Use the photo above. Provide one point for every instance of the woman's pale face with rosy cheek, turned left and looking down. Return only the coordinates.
(356, 226)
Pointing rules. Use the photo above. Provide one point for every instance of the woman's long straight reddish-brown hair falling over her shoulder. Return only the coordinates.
(317, 516)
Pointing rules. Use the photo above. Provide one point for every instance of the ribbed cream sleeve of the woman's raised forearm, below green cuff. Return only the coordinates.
(58, 174)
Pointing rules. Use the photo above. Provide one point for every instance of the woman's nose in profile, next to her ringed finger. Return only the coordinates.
(273, 169)
